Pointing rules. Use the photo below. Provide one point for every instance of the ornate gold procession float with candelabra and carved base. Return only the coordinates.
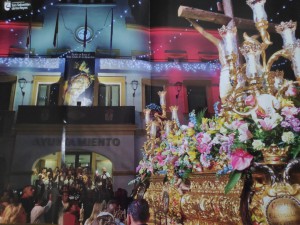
(269, 193)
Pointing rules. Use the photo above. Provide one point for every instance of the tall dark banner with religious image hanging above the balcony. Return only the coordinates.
(79, 79)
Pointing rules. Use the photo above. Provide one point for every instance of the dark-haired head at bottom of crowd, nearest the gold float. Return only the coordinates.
(138, 212)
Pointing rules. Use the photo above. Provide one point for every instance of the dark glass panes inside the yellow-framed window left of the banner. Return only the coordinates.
(48, 94)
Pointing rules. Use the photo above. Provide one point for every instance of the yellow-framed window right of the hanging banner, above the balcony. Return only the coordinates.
(111, 91)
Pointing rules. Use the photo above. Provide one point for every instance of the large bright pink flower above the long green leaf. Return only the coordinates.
(240, 159)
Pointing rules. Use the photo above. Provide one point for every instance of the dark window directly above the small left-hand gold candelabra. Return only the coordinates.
(150, 89)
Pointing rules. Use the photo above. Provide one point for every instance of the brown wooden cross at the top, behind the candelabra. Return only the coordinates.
(227, 18)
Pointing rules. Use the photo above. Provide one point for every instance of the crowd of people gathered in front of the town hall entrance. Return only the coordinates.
(67, 198)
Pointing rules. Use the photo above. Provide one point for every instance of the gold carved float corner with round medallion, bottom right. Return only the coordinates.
(275, 202)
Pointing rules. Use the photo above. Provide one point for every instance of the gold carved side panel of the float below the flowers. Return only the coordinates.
(205, 202)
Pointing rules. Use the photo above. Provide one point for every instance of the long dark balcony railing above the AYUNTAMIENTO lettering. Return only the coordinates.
(76, 115)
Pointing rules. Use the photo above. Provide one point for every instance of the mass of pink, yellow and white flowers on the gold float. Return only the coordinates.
(228, 142)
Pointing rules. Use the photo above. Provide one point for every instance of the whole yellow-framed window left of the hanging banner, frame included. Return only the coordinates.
(46, 90)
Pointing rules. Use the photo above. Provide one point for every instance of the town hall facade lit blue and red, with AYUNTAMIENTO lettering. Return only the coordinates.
(132, 62)
